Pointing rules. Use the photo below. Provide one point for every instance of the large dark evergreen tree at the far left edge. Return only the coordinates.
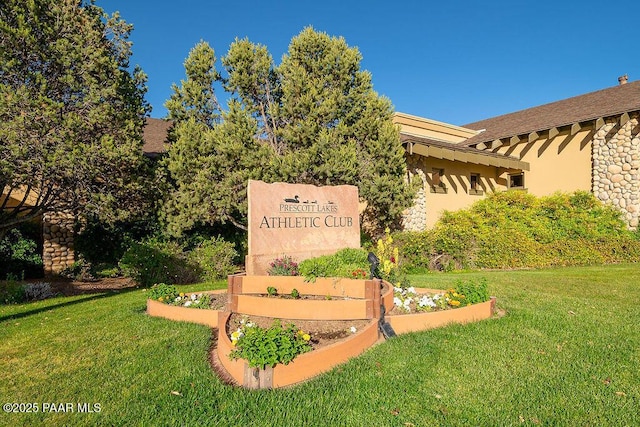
(71, 112)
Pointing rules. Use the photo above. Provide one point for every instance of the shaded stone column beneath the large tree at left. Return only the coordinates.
(58, 242)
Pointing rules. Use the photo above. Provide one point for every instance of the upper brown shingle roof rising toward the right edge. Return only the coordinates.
(603, 103)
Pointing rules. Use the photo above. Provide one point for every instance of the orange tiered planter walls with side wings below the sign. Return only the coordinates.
(364, 304)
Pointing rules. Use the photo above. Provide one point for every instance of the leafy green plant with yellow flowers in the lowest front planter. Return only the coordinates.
(262, 347)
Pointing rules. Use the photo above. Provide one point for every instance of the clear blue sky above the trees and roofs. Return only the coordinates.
(453, 61)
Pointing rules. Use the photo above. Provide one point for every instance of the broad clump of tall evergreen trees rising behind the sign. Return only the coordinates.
(313, 119)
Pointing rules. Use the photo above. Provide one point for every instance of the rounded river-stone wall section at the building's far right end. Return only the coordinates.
(616, 167)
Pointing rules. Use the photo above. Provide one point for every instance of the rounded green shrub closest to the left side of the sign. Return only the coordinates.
(215, 258)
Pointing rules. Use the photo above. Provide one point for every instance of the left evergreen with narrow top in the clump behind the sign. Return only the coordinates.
(210, 160)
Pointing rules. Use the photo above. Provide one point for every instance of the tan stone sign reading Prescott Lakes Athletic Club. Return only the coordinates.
(299, 220)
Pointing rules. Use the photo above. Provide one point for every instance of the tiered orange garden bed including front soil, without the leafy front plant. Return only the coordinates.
(341, 317)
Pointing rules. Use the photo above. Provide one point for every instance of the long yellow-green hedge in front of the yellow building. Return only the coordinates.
(517, 230)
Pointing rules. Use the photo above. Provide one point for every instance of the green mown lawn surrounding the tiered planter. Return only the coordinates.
(567, 352)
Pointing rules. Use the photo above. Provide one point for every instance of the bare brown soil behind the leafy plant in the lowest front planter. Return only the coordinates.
(322, 332)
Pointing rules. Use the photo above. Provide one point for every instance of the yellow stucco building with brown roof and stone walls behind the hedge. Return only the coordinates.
(590, 142)
